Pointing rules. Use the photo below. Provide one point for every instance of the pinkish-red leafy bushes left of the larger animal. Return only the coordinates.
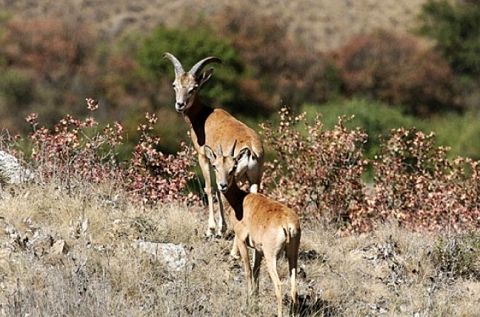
(76, 152)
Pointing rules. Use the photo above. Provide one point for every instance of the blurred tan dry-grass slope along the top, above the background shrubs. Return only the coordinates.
(325, 24)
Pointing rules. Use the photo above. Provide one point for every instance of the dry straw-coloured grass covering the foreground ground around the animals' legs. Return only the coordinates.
(388, 272)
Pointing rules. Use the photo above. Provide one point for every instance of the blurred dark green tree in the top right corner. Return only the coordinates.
(456, 28)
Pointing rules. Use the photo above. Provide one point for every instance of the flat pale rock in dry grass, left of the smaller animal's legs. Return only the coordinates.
(173, 256)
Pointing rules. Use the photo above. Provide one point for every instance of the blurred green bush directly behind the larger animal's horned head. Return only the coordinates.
(189, 46)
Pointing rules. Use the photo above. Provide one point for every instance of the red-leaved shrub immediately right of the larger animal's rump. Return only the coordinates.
(317, 172)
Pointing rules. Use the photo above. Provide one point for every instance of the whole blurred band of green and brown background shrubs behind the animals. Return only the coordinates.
(426, 78)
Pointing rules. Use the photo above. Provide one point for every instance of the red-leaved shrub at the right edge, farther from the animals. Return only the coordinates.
(416, 185)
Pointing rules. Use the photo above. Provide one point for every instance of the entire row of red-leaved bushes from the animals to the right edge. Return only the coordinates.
(319, 173)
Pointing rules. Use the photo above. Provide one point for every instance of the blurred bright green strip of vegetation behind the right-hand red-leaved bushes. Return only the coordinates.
(456, 131)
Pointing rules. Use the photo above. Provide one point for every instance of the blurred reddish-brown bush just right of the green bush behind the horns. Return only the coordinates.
(291, 72)
